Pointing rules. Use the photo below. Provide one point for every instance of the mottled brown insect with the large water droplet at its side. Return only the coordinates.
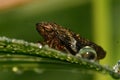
(59, 38)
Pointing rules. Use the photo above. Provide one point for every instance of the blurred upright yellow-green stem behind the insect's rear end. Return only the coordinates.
(102, 29)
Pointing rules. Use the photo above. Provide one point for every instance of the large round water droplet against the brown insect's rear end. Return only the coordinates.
(87, 52)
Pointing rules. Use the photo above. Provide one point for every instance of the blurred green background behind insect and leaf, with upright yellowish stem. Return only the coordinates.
(96, 20)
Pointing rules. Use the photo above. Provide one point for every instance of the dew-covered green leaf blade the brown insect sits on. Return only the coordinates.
(19, 55)
